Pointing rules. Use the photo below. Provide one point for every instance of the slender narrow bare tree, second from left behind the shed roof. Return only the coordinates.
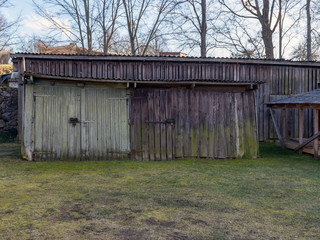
(108, 13)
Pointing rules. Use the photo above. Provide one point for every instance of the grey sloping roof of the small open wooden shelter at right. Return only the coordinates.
(312, 97)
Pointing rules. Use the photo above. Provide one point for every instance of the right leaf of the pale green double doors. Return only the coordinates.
(105, 126)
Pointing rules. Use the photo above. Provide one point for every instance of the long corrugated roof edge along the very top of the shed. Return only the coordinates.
(165, 59)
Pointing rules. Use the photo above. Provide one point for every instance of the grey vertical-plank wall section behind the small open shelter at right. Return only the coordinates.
(283, 81)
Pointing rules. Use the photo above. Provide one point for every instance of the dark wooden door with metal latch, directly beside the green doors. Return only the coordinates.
(152, 124)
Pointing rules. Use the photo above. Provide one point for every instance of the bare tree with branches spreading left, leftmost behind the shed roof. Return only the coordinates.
(80, 14)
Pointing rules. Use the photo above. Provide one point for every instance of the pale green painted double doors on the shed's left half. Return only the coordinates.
(101, 133)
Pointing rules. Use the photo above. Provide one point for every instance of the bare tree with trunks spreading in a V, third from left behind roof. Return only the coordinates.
(143, 21)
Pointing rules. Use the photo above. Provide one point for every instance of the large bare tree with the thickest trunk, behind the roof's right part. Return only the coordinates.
(267, 12)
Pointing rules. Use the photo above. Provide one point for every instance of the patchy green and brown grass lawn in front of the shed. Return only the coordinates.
(274, 197)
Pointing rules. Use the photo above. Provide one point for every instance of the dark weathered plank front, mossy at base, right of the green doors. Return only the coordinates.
(208, 124)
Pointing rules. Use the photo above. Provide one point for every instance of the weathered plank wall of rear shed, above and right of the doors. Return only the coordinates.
(281, 78)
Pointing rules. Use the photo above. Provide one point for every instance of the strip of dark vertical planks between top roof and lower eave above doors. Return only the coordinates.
(151, 70)
